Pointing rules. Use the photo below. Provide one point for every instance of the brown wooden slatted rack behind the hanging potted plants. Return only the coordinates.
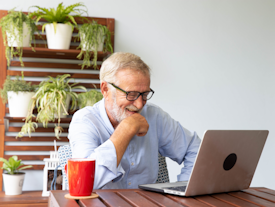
(37, 66)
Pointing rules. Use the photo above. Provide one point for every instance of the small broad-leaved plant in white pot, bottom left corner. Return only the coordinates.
(13, 179)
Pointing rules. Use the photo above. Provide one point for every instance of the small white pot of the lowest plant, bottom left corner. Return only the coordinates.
(13, 183)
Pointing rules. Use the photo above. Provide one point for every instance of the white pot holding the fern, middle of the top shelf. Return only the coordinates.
(61, 39)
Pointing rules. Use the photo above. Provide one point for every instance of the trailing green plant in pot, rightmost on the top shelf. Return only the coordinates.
(93, 37)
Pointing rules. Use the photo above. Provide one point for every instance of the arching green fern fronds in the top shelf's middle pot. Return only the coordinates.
(61, 14)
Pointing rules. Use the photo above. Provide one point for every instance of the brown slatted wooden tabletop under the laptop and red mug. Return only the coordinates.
(251, 197)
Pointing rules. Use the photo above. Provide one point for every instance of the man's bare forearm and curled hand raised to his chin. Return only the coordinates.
(133, 125)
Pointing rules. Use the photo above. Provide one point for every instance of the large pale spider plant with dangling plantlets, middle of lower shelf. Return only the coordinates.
(50, 100)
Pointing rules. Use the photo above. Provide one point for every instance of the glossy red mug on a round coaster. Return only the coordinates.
(80, 173)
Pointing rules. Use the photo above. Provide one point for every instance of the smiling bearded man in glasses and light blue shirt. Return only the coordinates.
(124, 133)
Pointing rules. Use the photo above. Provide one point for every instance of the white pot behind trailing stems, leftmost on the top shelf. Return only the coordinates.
(13, 40)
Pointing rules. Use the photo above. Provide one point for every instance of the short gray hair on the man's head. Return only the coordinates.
(119, 61)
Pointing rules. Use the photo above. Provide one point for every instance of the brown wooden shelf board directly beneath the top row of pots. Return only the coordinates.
(57, 54)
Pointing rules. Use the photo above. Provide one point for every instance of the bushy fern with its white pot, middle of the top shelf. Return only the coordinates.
(61, 23)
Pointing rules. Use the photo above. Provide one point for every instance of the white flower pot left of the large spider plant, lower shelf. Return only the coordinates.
(19, 103)
